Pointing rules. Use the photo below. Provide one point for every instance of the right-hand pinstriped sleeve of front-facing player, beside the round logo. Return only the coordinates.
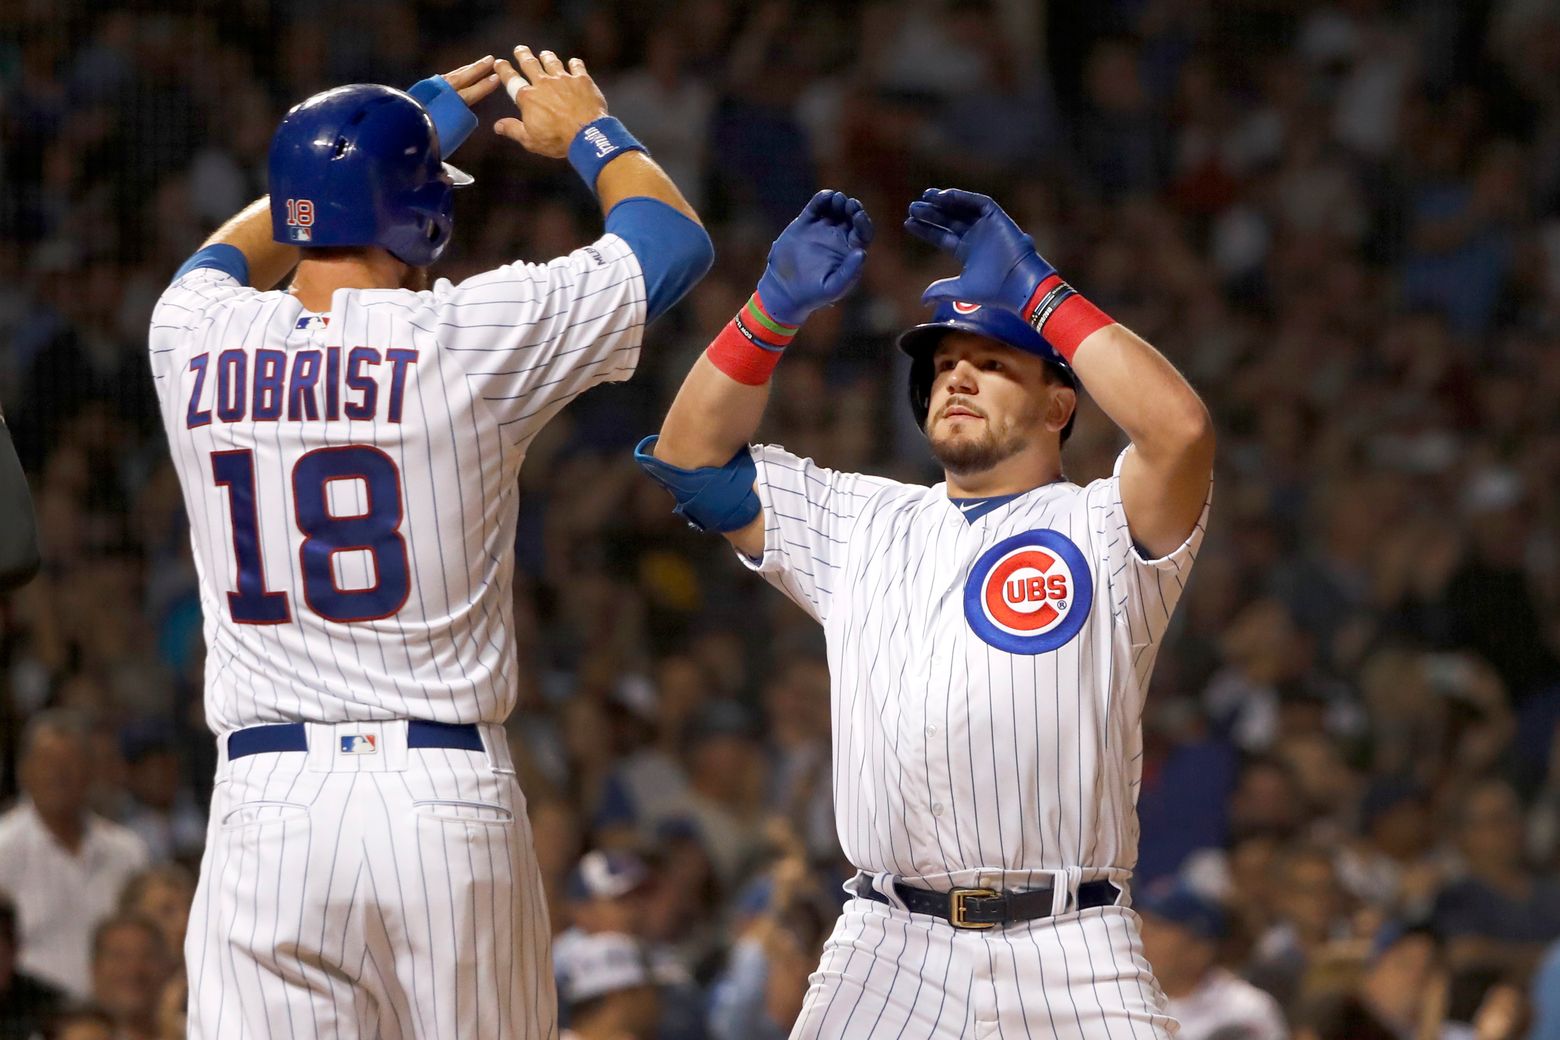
(1144, 592)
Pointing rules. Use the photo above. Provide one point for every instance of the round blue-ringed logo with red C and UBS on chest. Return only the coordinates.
(1029, 593)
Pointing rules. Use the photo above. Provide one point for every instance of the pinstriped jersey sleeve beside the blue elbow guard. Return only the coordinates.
(809, 517)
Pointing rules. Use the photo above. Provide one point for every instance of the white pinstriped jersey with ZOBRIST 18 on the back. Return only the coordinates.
(352, 478)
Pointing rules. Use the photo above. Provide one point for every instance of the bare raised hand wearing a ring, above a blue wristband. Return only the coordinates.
(555, 102)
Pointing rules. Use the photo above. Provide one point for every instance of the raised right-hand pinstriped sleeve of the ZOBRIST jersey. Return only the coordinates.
(536, 336)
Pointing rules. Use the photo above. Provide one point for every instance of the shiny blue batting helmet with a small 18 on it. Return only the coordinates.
(360, 166)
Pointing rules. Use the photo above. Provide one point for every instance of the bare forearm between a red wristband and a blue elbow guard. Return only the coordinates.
(712, 419)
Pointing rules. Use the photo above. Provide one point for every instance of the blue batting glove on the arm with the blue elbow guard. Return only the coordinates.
(817, 260)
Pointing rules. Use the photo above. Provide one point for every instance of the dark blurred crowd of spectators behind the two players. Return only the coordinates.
(1341, 219)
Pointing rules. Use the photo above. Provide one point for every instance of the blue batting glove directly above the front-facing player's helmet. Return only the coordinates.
(1001, 264)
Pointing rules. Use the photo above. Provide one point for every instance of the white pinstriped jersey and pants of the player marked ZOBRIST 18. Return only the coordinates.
(339, 902)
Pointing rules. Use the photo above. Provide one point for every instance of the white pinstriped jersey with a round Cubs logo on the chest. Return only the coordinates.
(988, 674)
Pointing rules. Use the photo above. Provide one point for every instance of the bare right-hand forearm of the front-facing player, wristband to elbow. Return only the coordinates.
(1143, 394)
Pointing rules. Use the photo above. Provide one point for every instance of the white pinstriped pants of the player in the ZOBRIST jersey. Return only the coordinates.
(349, 902)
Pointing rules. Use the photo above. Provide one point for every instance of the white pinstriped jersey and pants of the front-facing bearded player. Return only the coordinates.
(968, 762)
